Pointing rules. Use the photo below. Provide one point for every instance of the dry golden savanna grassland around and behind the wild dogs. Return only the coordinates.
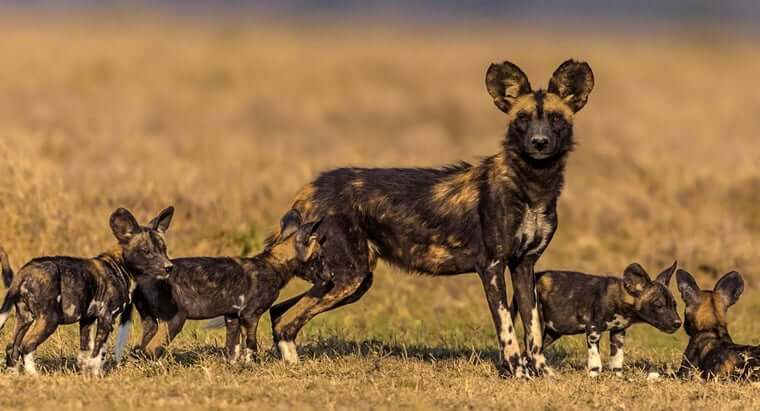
(226, 121)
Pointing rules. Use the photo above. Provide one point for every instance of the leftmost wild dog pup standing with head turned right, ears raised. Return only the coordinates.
(50, 291)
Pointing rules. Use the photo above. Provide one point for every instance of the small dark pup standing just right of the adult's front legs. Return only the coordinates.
(577, 303)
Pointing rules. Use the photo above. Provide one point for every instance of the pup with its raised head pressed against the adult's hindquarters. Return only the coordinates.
(239, 289)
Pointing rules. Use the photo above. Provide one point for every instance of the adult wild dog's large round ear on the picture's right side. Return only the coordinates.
(572, 82)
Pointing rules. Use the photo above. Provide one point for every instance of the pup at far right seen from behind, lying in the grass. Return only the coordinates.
(711, 351)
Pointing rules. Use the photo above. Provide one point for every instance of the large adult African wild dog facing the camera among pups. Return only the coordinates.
(462, 218)
